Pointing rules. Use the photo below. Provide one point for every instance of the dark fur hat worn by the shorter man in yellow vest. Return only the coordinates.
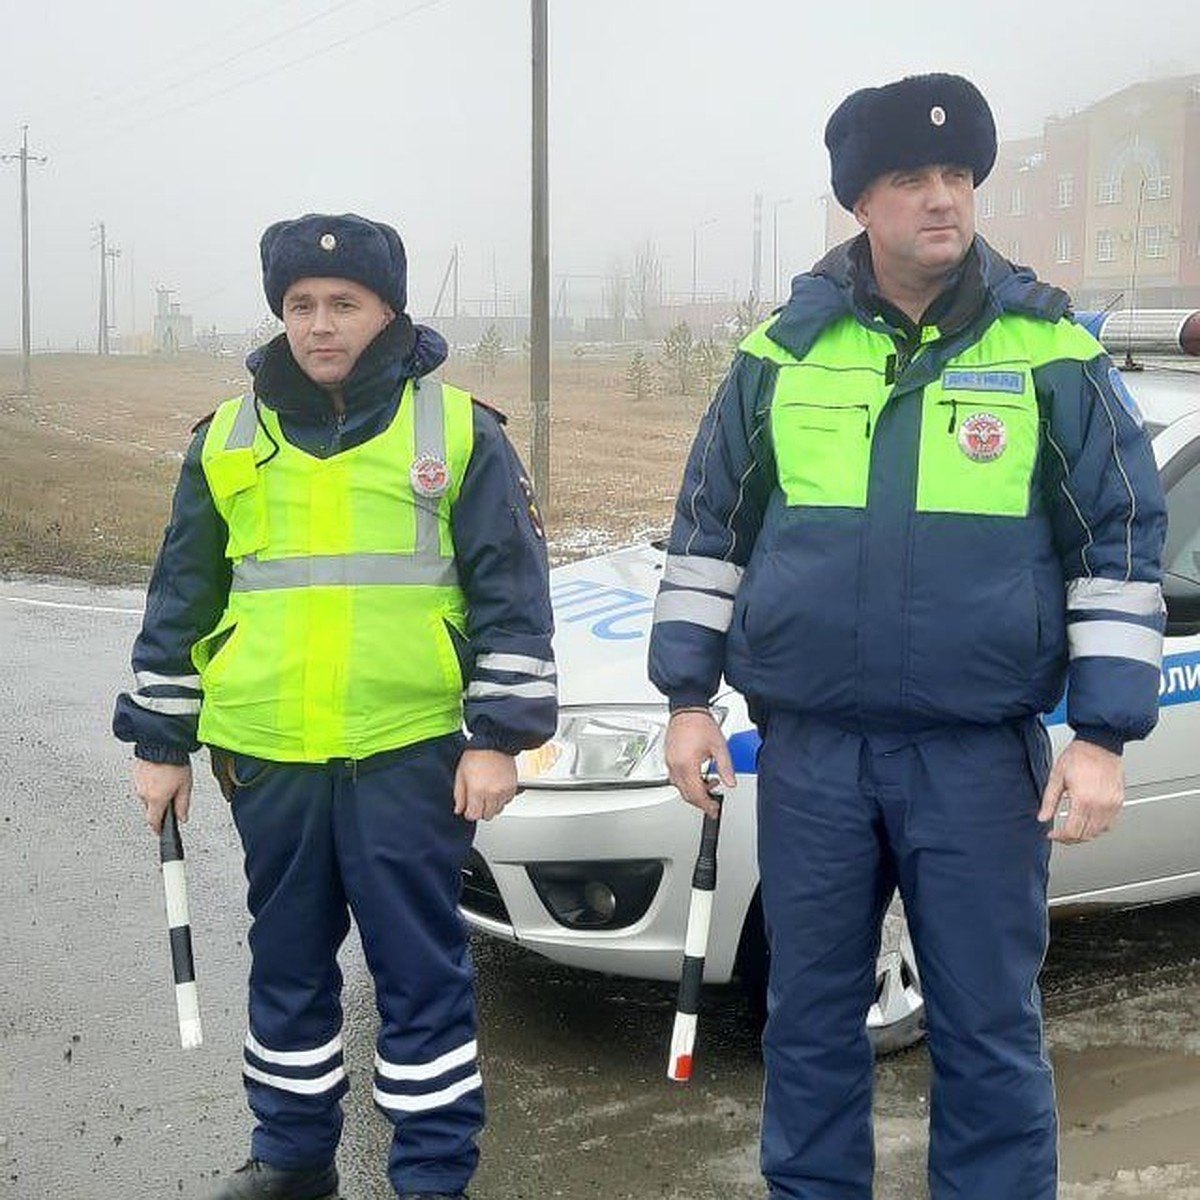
(344, 248)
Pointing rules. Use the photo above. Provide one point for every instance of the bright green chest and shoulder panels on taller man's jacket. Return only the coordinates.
(980, 424)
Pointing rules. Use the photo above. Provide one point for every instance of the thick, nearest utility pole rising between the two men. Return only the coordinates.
(539, 296)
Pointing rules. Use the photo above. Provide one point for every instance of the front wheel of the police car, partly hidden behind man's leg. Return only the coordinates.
(897, 1018)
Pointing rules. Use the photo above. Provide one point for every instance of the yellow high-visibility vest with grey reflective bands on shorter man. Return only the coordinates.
(339, 637)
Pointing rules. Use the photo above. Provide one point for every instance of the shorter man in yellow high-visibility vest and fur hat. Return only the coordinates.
(353, 567)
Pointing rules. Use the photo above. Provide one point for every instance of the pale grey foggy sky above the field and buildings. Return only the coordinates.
(187, 131)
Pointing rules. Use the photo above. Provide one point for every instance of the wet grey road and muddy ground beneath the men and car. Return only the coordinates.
(99, 1102)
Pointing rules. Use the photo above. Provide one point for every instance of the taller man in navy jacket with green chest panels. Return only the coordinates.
(921, 501)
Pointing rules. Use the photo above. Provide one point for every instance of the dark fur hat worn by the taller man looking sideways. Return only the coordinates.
(916, 122)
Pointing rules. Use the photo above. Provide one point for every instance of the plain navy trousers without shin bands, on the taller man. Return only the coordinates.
(951, 819)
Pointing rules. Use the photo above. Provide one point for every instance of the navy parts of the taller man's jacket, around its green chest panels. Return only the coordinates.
(890, 619)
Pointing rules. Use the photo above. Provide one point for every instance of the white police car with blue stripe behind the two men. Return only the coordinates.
(591, 866)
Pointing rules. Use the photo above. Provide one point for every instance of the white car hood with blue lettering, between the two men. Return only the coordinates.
(603, 613)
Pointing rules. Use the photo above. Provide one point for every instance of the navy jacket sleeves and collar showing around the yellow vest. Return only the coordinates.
(499, 547)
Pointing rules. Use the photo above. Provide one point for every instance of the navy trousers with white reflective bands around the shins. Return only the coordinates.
(377, 839)
